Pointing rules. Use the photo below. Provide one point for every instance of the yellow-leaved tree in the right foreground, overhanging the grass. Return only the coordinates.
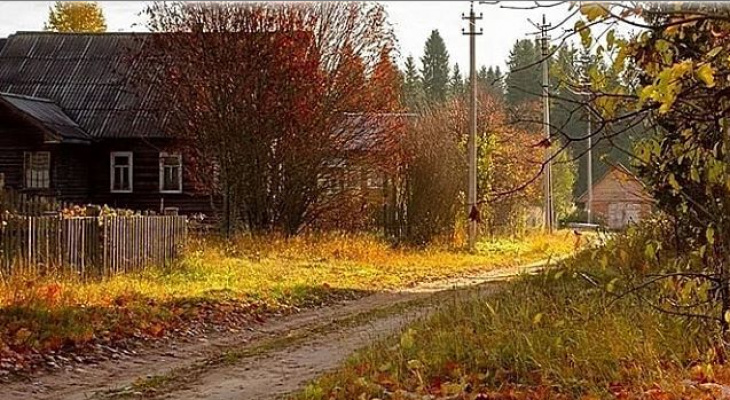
(671, 79)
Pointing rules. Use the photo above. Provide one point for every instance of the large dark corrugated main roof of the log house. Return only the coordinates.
(88, 75)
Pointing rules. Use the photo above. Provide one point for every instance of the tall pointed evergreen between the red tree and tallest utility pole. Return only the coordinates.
(435, 70)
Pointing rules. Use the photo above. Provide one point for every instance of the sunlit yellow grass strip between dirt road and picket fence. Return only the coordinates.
(231, 283)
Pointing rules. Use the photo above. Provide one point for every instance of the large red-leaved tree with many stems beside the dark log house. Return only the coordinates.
(271, 100)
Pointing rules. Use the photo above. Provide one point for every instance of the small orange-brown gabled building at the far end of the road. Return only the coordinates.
(619, 198)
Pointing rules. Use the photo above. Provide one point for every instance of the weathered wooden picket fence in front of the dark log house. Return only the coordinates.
(89, 246)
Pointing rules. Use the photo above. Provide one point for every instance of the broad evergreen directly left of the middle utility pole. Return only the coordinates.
(523, 81)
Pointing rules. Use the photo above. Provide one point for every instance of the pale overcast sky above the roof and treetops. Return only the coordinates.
(412, 20)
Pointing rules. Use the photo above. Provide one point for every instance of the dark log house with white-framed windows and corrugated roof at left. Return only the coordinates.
(75, 124)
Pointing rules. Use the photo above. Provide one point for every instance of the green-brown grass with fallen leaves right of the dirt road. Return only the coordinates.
(556, 335)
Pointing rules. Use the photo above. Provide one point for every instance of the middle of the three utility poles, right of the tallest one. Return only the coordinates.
(548, 184)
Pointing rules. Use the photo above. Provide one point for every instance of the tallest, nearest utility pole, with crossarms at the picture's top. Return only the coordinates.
(473, 212)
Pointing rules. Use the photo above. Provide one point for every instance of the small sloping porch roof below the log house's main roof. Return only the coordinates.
(48, 114)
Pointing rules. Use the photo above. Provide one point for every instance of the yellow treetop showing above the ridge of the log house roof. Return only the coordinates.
(76, 16)
